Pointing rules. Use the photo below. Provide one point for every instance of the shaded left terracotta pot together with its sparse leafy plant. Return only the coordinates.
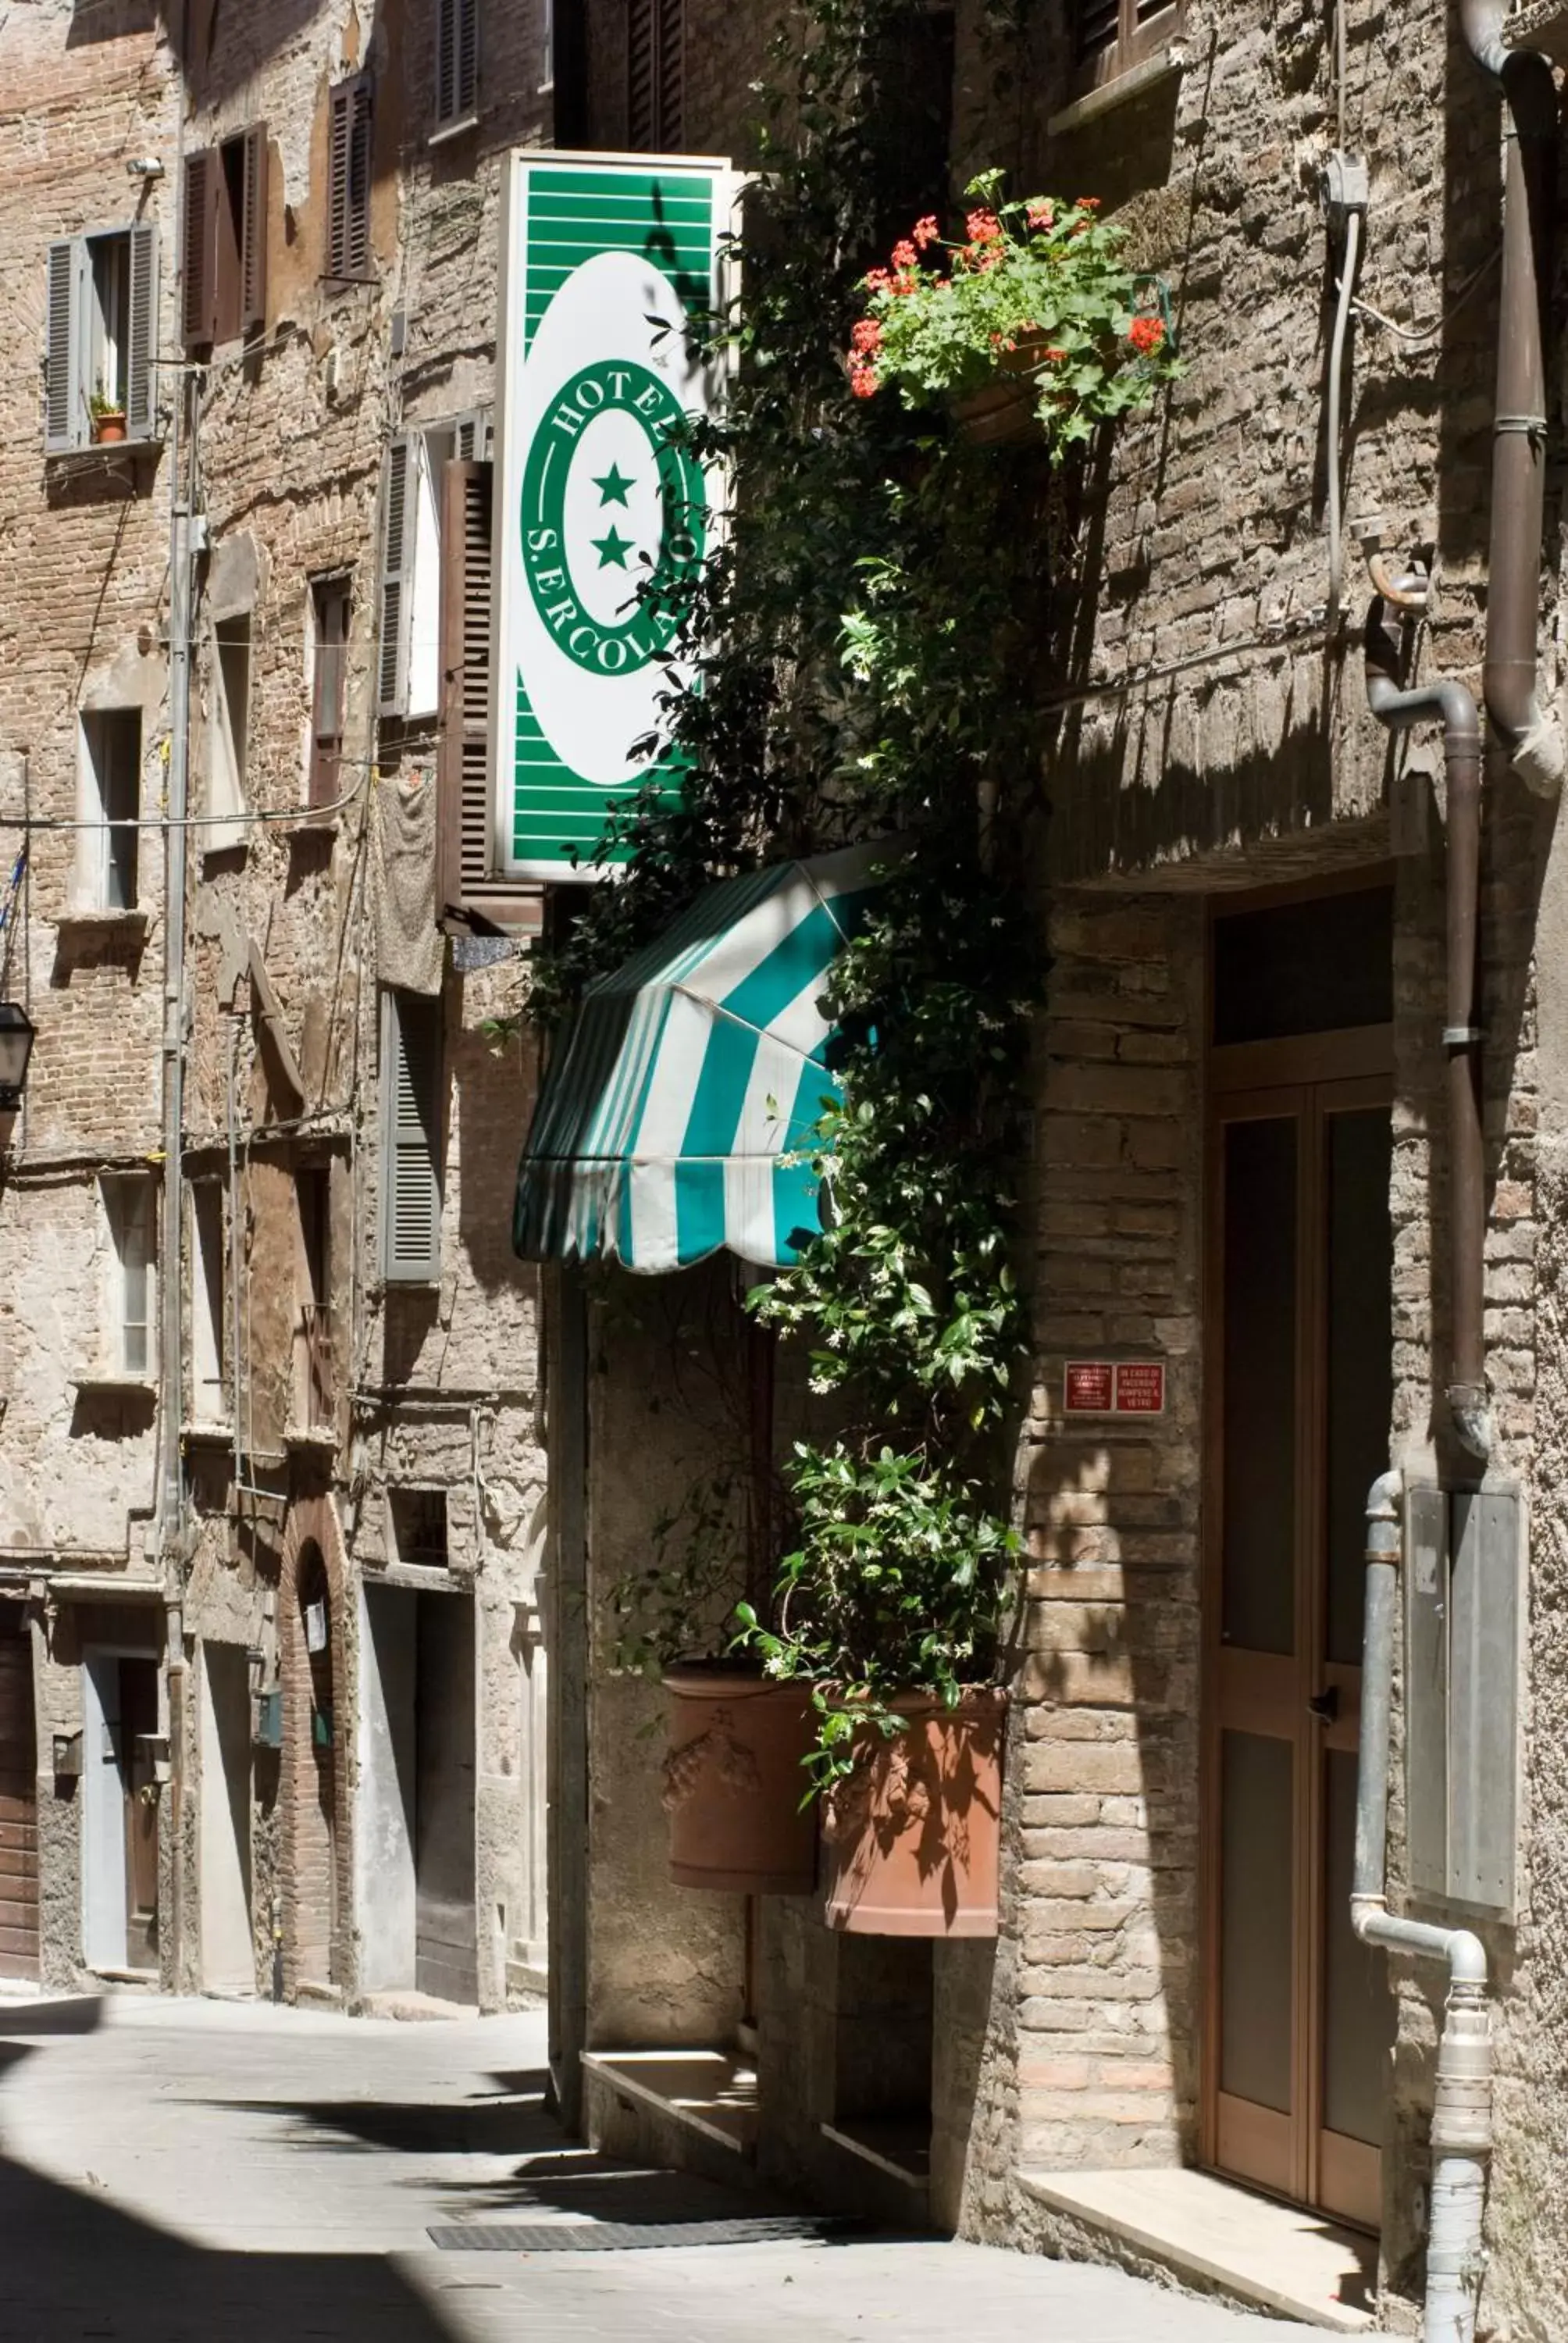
(735, 1791)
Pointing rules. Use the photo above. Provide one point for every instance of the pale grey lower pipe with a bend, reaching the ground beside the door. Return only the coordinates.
(1461, 2105)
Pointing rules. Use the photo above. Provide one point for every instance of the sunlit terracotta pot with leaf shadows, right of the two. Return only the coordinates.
(913, 1838)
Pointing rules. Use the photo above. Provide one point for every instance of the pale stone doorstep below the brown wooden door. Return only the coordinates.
(1222, 2239)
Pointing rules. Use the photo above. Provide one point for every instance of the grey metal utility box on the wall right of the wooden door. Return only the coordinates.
(1461, 1695)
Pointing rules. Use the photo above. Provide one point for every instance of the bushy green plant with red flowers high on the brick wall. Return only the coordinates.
(1030, 327)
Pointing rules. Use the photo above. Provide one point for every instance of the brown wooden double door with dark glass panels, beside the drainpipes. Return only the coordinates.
(1302, 1381)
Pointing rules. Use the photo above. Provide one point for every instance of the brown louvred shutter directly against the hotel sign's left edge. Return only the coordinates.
(463, 758)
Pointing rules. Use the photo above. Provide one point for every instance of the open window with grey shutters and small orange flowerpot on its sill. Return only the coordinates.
(102, 332)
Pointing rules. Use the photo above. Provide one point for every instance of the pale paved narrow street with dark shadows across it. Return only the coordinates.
(233, 2173)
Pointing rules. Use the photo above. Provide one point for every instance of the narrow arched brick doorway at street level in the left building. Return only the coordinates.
(315, 1772)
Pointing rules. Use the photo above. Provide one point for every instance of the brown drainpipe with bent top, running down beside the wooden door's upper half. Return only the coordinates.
(1452, 706)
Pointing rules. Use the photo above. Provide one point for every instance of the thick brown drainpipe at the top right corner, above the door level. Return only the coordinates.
(1520, 423)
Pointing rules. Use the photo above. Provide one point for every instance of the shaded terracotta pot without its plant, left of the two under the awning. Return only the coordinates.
(735, 1784)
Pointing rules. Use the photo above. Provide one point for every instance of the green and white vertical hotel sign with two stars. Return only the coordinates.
(599, 503)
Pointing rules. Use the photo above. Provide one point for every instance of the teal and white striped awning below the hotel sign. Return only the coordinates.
(679, 1107)
